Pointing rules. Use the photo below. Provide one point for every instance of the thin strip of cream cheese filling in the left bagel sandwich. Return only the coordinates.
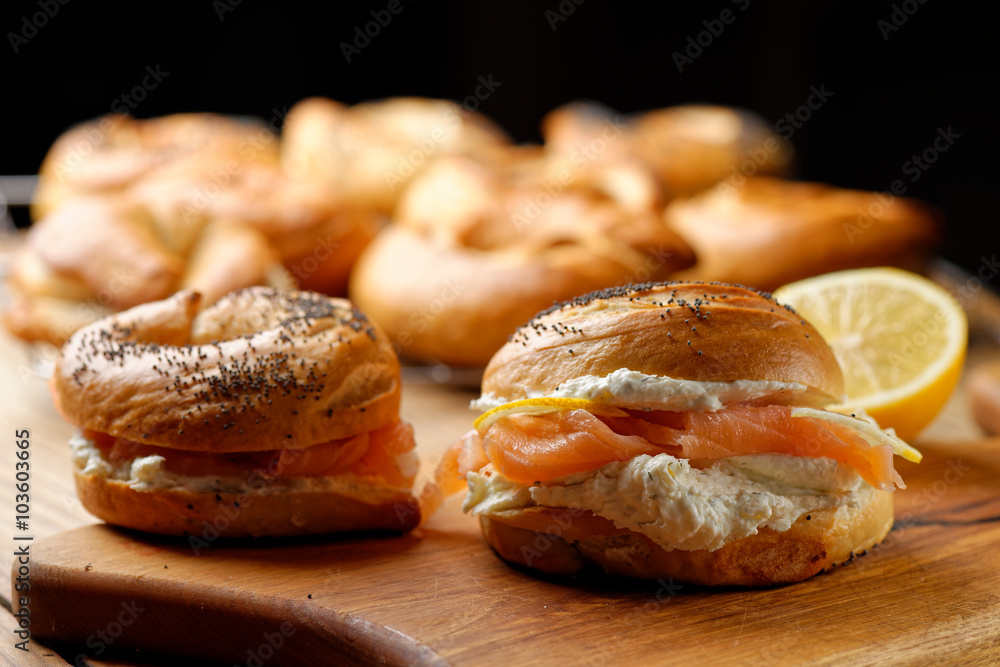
(148, 473)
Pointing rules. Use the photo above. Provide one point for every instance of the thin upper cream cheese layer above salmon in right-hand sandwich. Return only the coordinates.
(628, 388)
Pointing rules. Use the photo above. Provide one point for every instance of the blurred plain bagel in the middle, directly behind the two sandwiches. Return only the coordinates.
(478, 248)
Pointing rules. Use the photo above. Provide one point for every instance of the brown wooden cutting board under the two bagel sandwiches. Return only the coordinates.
(929, 595)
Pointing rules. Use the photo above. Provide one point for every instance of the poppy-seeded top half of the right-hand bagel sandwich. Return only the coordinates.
(735, 333)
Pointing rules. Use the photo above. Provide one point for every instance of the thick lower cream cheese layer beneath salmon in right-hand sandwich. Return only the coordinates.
(681, 507)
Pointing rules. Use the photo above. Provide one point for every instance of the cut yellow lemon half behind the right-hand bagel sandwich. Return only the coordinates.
(900, 340)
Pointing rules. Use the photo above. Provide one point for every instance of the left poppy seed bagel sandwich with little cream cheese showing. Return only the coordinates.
(267, 413)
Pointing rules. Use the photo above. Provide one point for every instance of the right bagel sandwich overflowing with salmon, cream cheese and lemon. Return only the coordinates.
(674, 430)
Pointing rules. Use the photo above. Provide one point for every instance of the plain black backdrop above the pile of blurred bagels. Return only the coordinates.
(891, 90)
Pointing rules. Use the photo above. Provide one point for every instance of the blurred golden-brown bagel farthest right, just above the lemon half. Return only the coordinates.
(768, 232)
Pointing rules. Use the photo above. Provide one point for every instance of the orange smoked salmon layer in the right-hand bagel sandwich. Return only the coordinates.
(530, 448)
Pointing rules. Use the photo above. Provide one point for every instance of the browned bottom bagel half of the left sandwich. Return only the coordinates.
(253, 512)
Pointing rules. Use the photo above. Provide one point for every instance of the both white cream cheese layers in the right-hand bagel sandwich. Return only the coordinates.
(678, 506)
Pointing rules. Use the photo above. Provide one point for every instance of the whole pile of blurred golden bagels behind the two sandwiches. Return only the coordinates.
(427, 215)
